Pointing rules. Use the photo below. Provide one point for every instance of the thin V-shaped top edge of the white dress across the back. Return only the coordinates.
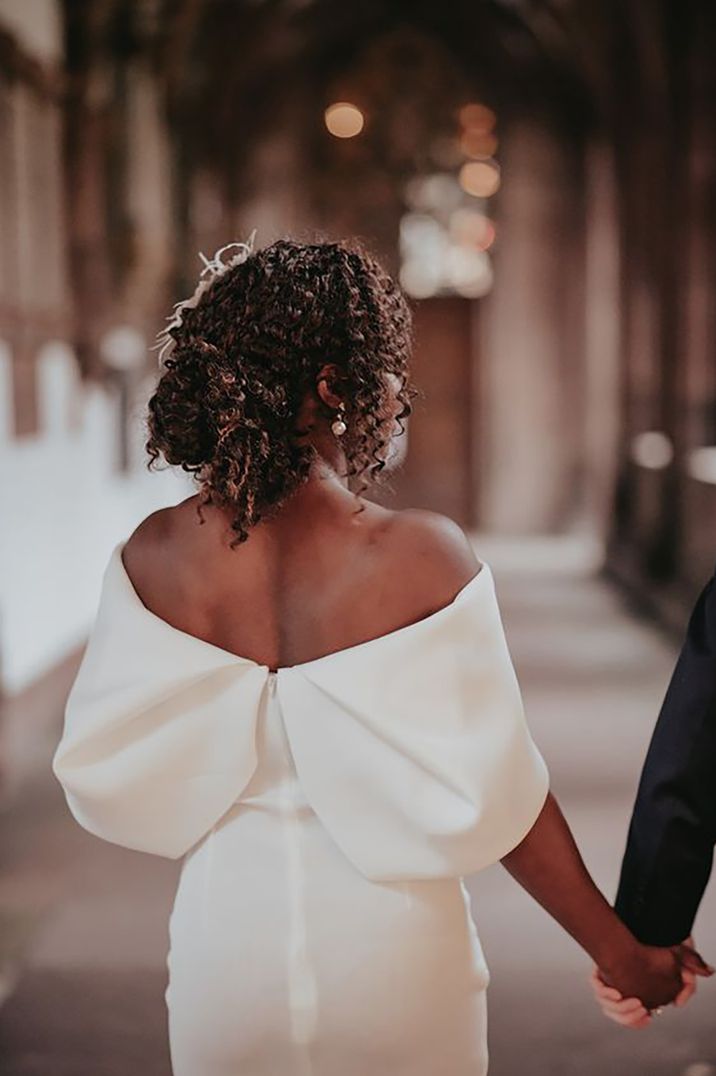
(481, 576)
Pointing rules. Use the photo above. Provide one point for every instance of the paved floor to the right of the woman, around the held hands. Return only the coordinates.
(593, 682)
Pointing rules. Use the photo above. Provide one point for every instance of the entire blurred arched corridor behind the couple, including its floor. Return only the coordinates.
(541, 176)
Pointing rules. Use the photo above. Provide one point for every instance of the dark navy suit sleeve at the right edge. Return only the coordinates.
(672, 833)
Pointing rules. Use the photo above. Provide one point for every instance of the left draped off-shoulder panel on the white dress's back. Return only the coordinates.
(159, 738)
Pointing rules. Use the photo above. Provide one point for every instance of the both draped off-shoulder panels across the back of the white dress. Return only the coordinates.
(413, 748)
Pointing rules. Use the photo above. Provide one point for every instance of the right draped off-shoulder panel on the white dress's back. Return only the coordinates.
(418, 759)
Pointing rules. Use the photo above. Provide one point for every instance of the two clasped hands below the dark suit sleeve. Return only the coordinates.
(637, 987)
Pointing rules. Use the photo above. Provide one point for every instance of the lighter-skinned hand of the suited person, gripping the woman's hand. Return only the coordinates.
(630, 1012)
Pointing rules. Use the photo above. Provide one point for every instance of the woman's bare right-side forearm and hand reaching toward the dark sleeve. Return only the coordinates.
(549, 866)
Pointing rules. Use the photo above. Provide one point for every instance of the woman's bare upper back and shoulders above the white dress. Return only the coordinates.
(316, 579)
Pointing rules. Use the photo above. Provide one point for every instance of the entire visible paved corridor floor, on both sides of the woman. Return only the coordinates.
(87, 923)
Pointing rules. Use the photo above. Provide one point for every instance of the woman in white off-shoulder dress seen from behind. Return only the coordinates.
(310, 700)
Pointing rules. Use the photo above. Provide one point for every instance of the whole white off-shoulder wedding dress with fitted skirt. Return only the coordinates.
(327, 814)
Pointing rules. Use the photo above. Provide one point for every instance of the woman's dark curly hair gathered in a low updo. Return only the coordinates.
(244, 358)
